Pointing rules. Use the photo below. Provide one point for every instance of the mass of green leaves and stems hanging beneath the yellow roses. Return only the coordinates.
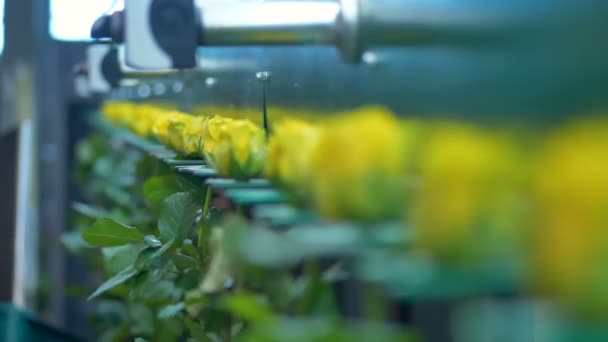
(192, 272)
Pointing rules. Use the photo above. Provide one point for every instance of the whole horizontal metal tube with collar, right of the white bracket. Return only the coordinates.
(356, 25)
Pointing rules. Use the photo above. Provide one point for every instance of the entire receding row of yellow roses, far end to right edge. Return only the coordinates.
(469, 194)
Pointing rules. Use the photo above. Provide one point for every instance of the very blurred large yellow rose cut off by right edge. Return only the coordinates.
(571, 202)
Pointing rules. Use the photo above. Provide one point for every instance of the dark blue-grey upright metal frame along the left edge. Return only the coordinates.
(29, 46)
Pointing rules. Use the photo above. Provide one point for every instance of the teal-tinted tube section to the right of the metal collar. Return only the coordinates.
(440, 22)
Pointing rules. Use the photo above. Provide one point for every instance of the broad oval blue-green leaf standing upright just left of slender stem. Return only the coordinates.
(177, 216)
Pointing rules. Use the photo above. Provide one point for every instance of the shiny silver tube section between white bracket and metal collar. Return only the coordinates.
(269, 23)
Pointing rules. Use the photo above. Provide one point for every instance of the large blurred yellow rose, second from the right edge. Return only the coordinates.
(470, 203)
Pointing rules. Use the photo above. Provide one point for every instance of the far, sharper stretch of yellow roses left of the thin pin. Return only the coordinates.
(235, 147)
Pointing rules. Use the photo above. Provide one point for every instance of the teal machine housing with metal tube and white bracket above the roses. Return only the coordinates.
(483, 59)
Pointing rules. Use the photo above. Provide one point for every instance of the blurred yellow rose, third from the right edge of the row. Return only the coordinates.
(359, 165)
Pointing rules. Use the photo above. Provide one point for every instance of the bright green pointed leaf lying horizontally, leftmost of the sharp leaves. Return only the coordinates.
(106, 232)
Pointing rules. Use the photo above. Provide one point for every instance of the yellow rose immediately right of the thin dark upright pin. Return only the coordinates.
(290, 150)
